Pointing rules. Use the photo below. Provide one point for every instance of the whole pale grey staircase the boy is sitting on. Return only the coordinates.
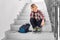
(23, 18)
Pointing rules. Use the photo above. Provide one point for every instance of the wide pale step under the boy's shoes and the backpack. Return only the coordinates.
(29, 36)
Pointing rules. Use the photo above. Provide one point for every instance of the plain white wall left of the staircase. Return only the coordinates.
(8, 12)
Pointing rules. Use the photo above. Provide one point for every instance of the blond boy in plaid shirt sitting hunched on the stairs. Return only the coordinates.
(36, 18)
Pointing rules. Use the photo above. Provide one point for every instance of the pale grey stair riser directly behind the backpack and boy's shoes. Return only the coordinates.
(47, 27)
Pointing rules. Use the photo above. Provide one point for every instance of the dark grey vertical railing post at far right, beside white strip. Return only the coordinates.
(56, 20)
